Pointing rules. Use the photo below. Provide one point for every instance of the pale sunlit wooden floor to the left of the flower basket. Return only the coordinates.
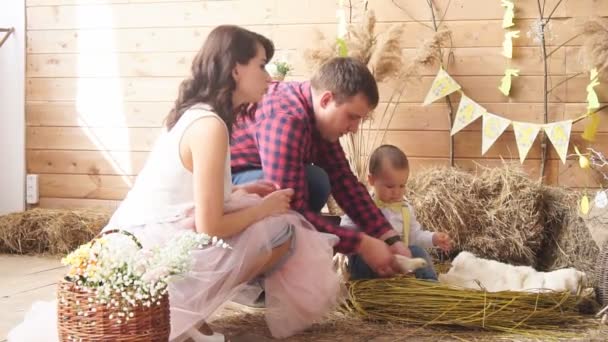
(25, 280)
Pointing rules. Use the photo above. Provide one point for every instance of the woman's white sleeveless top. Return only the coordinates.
(163, 190)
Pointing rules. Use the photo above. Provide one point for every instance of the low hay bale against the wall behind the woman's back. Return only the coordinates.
(52, 231)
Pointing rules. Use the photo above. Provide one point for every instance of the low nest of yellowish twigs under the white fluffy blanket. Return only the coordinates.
(406, 300)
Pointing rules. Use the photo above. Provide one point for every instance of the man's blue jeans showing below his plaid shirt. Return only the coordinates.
(318, 184)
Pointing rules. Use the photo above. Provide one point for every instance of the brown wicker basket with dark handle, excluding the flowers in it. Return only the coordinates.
(80, 318)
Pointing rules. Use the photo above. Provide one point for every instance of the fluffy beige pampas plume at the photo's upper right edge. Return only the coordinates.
(595, 45)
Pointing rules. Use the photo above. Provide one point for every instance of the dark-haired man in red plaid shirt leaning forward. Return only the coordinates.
(293, 142)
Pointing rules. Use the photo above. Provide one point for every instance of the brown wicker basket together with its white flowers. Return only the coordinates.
(115, 290)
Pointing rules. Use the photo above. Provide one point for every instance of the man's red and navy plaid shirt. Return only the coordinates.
(282, 140)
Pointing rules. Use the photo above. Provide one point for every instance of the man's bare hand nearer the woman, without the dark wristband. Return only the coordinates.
(377, 255)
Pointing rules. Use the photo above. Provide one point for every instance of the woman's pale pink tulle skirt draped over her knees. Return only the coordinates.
(299, 290)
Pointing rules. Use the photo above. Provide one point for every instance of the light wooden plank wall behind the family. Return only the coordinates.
(102, 74)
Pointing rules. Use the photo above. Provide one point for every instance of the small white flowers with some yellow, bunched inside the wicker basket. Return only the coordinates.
(124, 276)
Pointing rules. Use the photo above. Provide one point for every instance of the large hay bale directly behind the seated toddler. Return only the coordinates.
(495, 214)
